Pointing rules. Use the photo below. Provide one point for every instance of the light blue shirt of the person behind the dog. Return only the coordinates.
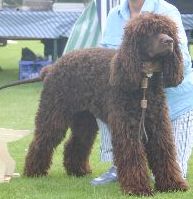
(180, 98)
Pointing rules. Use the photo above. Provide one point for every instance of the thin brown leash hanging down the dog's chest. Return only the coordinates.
(143, 104)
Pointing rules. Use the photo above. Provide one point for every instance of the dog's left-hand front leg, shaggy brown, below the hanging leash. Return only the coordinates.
(129, 156)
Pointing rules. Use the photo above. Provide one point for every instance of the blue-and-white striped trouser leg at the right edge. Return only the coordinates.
(183, 134)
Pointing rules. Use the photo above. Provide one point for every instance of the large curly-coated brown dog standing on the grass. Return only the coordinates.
(106, 84)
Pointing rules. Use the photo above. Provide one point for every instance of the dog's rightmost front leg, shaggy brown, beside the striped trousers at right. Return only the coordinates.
(162, 155)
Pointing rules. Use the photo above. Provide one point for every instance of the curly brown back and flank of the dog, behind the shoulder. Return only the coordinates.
(81, 77)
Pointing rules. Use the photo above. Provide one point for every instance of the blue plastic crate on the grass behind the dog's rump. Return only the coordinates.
(31, 69)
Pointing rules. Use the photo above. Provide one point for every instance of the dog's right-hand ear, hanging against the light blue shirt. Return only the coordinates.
(173, 67)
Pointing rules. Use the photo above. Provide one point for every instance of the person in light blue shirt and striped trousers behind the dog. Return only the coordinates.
(180, 98)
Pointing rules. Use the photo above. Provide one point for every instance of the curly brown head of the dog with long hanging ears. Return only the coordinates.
(148, 38)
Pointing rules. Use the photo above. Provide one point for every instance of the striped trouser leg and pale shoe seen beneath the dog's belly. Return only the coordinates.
(106, 155)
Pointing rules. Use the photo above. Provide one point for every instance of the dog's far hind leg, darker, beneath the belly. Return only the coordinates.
(78, 147)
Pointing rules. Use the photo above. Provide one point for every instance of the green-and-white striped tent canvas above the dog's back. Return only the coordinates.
(88, 28)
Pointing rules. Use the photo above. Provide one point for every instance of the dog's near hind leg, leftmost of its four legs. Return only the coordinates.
(50, 130)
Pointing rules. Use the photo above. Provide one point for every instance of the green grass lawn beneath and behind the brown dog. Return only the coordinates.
(18, 106)
